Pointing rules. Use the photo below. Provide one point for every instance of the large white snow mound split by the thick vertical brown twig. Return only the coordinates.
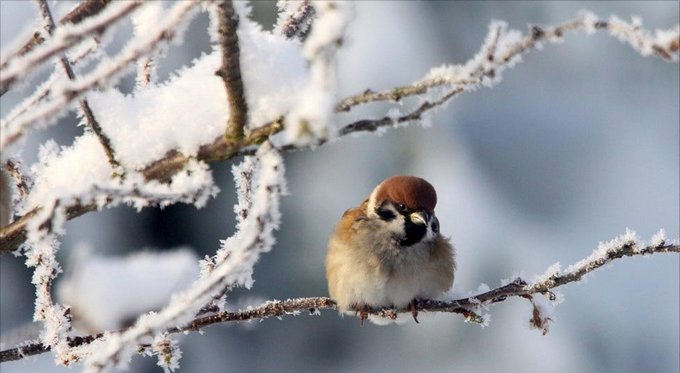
(193, 103)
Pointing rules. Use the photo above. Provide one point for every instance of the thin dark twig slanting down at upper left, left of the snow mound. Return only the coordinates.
(84, 105)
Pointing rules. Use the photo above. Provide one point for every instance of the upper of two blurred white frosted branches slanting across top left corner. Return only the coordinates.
(18, 66)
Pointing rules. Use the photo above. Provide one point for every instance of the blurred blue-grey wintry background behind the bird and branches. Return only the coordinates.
(577, 143)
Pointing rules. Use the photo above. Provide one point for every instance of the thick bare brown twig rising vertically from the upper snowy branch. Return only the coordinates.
(230, 70)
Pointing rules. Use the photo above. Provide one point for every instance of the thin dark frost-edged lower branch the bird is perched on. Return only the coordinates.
(606, 253)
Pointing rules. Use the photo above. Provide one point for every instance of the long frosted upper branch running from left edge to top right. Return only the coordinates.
(484, 68)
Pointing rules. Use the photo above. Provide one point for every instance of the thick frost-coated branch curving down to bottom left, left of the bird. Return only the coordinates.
(255, 236)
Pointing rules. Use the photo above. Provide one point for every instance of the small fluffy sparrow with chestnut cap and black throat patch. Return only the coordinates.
(388, 252)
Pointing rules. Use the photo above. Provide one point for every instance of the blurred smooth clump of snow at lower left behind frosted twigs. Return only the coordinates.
(105, 293)
